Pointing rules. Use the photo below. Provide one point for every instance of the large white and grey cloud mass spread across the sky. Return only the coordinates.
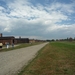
(23, 18)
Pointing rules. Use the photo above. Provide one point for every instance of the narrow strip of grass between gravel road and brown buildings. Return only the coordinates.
(22, 45)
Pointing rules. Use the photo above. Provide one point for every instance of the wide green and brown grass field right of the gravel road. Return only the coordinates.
(56, 58)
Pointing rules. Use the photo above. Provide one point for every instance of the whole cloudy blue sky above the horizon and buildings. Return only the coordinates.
(38, 19)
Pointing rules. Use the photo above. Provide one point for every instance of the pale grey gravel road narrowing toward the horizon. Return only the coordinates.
(11, 62)
